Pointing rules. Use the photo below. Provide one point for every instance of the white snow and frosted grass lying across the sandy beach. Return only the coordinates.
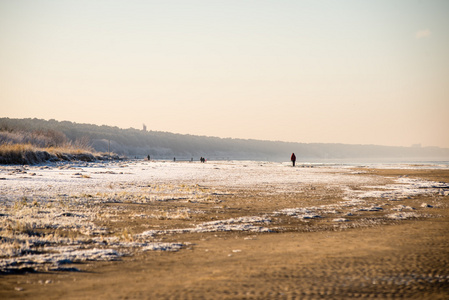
(49, 213)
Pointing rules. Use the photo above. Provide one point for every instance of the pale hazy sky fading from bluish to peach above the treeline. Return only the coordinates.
(357, 72)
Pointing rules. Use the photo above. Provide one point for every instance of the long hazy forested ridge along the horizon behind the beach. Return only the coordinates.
(164, 145)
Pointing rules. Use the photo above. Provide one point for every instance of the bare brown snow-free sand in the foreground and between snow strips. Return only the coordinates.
(303, 259)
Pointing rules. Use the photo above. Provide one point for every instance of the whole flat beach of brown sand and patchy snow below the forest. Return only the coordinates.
(224, 230)
